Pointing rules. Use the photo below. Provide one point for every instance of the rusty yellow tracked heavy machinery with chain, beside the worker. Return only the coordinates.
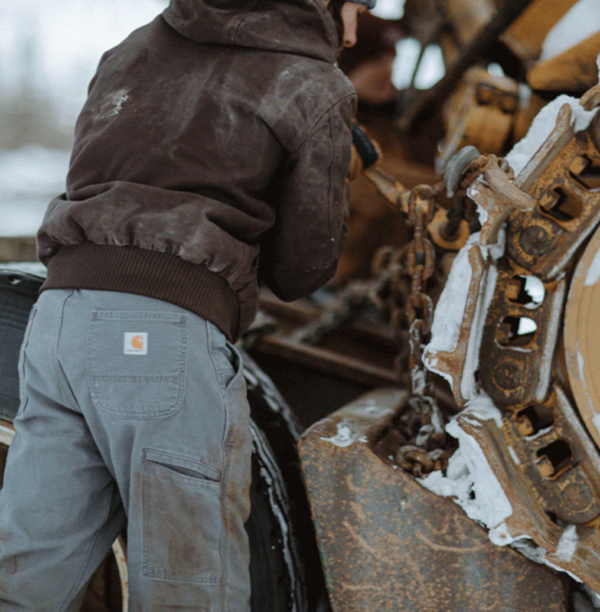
(451, 459)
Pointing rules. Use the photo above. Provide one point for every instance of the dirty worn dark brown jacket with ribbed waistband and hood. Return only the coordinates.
(212, 151)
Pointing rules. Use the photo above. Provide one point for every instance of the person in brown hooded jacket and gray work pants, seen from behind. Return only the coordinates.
(212, 151)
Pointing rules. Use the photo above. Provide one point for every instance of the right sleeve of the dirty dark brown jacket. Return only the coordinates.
(300, 253)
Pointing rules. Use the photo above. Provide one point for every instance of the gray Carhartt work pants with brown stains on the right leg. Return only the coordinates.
(133, 411)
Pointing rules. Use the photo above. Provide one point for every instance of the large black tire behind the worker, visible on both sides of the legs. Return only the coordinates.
(286, 571)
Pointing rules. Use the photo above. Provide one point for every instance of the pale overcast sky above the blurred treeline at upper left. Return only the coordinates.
(64, 40)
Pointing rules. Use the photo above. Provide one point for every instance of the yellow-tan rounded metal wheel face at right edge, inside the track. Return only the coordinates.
(582, 336)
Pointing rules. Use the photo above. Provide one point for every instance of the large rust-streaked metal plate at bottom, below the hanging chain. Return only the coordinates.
(388, 544)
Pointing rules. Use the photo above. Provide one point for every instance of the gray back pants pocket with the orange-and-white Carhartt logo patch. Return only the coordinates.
(137, 362)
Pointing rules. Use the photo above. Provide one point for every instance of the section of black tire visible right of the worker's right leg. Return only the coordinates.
(289, 574)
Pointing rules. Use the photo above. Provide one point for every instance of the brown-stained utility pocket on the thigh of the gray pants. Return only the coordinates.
(181, 519)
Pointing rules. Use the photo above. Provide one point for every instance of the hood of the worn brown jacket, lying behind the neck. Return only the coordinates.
(302, 27)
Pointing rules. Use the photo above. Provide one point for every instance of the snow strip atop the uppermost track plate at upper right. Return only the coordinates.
(543, 125)
